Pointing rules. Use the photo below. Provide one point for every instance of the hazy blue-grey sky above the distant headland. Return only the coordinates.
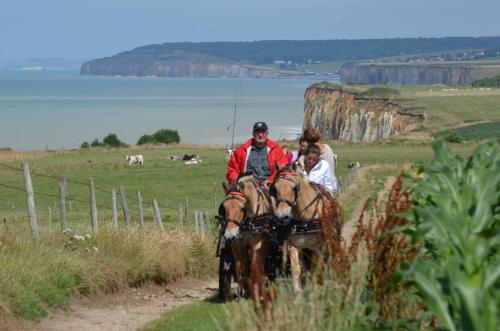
(96, 28)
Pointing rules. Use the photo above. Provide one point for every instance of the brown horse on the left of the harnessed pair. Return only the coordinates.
(245, 211)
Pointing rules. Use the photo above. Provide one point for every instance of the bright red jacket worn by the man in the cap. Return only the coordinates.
(238, 163)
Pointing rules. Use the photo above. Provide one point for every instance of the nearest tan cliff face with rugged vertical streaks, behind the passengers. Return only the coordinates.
(345, 116)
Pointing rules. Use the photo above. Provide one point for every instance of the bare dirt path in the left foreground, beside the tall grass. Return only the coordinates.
(127, 310)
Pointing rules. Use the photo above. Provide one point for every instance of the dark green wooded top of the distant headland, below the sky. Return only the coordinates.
(301, 51)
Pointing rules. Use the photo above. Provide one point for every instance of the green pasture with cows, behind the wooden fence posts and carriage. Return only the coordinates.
(168, 181)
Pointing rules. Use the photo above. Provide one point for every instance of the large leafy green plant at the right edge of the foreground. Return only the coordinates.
(457, 217)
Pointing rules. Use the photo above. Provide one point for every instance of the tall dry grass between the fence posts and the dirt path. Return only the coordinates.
(37, 275)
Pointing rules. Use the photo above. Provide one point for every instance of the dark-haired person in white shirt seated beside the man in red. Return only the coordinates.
(317, 170)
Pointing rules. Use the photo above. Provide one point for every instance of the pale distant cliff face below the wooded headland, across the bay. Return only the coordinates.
(177, 69)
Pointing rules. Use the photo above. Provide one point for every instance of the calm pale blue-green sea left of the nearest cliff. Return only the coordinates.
(47, 110)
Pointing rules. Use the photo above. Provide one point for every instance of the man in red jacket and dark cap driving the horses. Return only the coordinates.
(256, 155)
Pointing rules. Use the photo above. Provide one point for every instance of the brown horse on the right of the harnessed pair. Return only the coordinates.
(297, 201)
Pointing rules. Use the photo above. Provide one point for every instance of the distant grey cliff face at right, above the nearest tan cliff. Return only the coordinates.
(406, 74)
